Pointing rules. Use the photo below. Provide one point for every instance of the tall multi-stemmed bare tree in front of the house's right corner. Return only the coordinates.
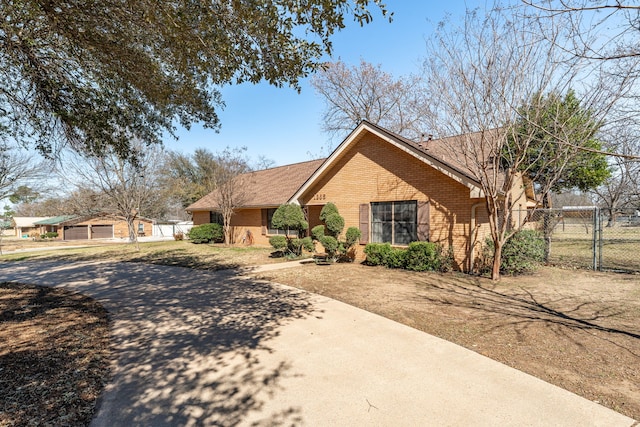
(480, 76)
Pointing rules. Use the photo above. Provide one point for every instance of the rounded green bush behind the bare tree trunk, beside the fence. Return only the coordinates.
(522, 253)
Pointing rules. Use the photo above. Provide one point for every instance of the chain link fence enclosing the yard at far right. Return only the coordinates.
(588, 237)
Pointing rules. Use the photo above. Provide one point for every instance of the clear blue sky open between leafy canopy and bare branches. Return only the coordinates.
(282, 125)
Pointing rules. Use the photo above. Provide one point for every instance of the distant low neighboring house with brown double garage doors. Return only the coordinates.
(93, 227)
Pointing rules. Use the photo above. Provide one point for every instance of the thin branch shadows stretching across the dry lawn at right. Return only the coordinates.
(523, 307)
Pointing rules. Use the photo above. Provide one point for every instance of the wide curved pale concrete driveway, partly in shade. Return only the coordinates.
(201, 348)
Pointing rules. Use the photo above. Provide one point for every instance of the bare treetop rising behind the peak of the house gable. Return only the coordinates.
(352, 94)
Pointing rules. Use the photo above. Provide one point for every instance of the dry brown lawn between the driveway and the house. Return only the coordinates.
(576, 329)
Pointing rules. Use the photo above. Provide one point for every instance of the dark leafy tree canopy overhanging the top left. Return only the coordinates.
(99, 74)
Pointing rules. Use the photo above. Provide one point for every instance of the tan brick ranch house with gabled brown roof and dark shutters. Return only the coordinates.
(395, 190)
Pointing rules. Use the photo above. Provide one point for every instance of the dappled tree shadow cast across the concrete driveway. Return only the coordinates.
(188, 343)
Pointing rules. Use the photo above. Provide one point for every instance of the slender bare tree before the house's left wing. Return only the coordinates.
(232, 182)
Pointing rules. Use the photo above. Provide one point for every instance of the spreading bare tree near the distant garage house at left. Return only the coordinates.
(123, 187)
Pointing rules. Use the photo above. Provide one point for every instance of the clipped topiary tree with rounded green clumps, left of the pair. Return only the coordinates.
(290, 219)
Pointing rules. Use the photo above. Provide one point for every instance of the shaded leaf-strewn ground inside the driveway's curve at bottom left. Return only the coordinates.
(54, 356)
